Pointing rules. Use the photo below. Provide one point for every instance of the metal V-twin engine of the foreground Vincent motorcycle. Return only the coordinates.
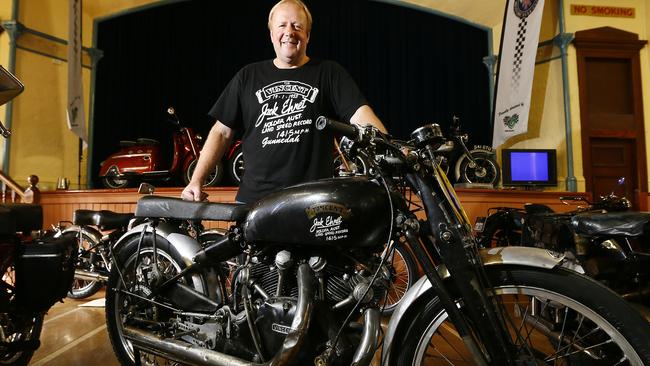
(341, 286)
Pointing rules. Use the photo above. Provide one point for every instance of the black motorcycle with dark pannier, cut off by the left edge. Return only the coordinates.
(36, 268)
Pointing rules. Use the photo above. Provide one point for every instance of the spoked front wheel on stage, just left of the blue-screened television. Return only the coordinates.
(484, 169)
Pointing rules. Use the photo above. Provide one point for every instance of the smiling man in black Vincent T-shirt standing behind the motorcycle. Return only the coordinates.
(276, 104)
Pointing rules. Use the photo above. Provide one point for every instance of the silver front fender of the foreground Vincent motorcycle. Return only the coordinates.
(522, 256)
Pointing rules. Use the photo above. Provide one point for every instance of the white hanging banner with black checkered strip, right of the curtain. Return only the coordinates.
(519, 40)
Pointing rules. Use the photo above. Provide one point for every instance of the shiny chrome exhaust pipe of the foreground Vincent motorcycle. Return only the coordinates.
(193, 355)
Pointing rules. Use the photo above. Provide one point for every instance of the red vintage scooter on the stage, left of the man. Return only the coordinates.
(141, 160)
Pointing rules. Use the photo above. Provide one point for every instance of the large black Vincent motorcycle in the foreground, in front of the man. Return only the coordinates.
(311, 273)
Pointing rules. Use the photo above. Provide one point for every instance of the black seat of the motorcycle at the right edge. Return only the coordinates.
(612, 223)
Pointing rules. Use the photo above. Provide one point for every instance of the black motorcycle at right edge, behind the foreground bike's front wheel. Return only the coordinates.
(610, 242)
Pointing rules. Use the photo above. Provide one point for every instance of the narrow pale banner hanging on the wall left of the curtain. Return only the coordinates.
(75, 108)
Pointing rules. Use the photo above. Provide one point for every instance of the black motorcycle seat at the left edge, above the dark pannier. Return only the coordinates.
(20, 217)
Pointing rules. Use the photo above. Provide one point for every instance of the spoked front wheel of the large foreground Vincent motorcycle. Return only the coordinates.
(555, 317)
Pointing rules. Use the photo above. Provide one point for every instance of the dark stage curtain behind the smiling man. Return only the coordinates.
(414, 67)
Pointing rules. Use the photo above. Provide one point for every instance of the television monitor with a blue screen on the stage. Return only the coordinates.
(529, 167)
